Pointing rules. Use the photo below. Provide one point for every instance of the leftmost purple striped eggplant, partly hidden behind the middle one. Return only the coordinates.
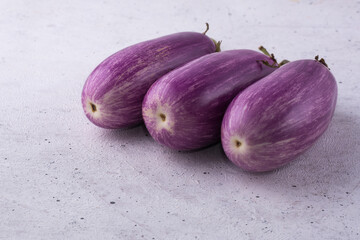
(114, 91)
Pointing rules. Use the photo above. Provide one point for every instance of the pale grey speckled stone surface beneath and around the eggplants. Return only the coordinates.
(63, 178)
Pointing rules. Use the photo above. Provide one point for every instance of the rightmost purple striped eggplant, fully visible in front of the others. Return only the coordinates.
(279, 117)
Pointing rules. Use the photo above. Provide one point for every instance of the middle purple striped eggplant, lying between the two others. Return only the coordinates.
(184, 109)
